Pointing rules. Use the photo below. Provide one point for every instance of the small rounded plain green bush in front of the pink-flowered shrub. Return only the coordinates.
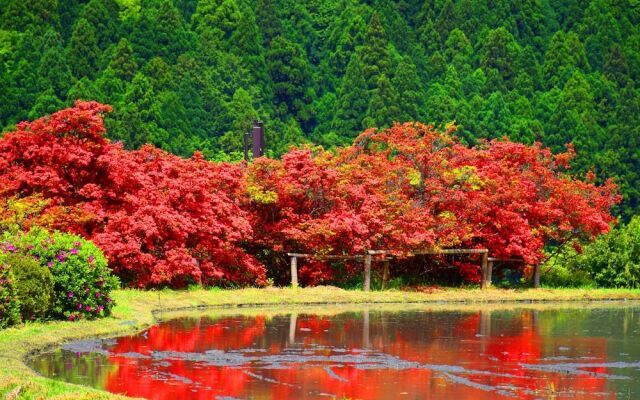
(33, 284)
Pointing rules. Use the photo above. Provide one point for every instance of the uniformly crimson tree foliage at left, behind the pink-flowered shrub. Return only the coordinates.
(161, 219)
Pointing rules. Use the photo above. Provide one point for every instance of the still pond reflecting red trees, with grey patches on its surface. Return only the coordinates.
(368, 352)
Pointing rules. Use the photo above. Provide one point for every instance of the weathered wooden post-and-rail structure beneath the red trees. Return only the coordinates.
(367, 258)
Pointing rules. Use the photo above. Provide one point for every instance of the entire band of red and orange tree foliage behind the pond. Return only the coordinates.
(164, 220)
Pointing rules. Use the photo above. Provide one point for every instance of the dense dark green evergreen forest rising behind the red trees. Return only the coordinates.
(190, 75)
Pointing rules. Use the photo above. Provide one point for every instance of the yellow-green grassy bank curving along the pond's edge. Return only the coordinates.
(135, 310)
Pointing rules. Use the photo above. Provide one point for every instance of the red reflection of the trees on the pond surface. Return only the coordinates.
(491, 352)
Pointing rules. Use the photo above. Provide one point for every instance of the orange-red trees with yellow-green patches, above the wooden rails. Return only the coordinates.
(410, 188)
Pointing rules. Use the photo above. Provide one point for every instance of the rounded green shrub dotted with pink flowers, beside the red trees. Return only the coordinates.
(83, 281)
